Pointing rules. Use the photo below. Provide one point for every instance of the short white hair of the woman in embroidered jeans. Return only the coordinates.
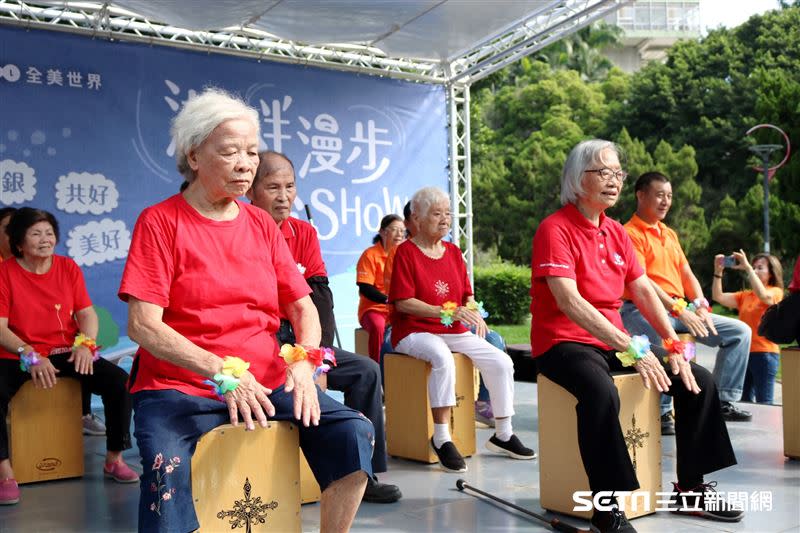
(198, 118)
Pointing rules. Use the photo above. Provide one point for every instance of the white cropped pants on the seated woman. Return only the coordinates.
(495, 366)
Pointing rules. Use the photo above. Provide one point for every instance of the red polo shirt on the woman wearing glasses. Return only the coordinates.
(600, 259)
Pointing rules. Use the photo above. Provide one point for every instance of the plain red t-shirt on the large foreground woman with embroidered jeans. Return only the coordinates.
(220, 285)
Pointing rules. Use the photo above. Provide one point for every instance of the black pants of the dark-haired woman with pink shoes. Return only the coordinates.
(108, 382)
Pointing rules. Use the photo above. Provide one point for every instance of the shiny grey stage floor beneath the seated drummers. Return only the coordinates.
(432, 503)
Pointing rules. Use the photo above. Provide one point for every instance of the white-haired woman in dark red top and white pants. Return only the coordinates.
(433, 308)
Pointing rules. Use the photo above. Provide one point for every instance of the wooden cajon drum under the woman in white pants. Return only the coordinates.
(409, 424)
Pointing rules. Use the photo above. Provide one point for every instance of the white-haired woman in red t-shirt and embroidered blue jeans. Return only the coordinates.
(206, 279)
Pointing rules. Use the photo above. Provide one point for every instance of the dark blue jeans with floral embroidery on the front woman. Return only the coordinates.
(169, 423)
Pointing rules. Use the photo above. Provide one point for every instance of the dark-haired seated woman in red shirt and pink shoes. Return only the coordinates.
(48, 327)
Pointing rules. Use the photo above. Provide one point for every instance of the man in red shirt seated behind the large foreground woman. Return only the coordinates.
(274, 191)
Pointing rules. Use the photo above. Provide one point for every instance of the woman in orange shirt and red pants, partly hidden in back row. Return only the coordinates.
(372, 309)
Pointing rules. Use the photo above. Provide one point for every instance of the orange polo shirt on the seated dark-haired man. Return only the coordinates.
(659, 252)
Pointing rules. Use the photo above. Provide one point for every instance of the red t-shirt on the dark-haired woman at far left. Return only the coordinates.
(41, 307)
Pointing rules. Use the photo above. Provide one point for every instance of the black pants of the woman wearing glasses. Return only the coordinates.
(701, 438)
